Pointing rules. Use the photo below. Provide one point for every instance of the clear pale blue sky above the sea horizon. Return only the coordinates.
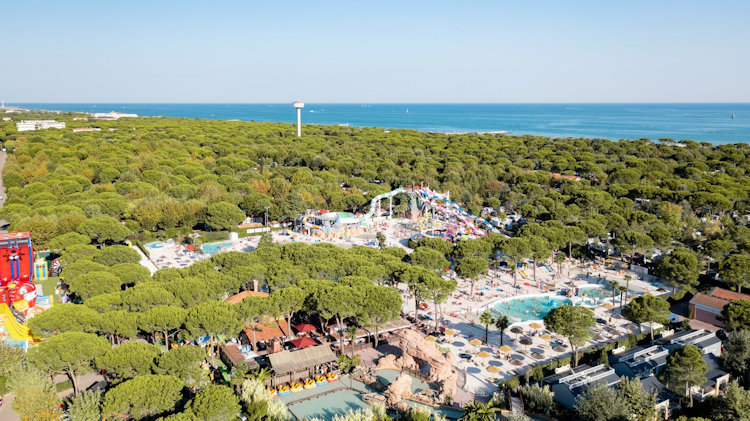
(376, 51)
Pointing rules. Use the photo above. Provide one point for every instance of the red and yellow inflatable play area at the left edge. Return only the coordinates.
(21, 279)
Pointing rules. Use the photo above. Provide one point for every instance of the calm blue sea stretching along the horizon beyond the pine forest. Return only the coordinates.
(699, 122)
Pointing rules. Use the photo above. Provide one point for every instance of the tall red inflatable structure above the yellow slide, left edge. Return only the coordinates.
(16, 258)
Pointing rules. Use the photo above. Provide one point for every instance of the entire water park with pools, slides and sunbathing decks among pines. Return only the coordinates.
(525, 293)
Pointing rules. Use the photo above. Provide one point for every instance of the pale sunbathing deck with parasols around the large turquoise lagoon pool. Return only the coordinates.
(462, 309)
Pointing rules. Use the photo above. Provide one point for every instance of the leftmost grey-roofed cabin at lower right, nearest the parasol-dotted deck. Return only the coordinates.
(573, 381)
